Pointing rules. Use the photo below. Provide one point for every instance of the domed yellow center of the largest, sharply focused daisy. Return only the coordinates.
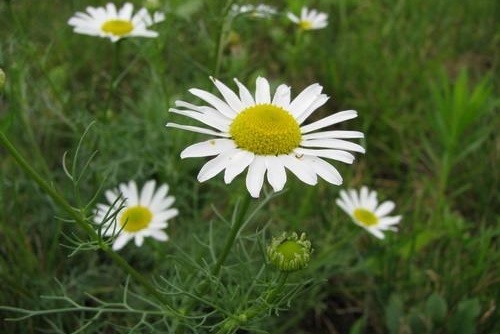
(266, 129)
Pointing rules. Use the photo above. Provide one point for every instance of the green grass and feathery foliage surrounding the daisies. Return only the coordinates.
(87, 114)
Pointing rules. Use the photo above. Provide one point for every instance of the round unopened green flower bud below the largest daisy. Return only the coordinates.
(288, 252)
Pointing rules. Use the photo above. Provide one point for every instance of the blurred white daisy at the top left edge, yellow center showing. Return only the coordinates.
(113, 23)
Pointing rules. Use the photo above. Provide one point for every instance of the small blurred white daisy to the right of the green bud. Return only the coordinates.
(366, 212)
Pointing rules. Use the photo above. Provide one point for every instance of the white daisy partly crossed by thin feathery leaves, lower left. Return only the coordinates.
(143, 214)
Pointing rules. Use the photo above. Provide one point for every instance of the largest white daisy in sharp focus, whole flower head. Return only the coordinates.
(266, 134)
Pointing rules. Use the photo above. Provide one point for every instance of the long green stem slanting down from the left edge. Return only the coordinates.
(78, 217)
